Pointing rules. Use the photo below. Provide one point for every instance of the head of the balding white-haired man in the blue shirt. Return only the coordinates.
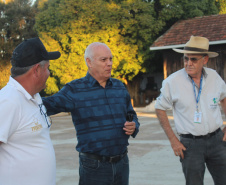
(101, 65)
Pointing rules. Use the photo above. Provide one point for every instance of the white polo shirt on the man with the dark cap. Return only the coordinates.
(27, 155)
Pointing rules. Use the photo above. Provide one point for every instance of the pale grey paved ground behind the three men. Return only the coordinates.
(152, 161)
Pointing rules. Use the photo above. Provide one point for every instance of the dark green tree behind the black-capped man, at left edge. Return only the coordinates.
(16, 23)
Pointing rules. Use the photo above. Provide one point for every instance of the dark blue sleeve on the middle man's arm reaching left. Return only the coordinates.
(59, 102)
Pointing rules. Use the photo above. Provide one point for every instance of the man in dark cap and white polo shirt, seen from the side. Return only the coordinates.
(26, 152)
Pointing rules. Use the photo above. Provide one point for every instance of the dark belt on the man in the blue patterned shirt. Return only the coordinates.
(111, 159)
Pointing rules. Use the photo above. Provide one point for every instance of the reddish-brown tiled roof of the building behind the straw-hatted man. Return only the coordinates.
(213, 27)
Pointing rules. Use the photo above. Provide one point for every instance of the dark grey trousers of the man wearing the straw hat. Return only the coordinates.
(201, 153)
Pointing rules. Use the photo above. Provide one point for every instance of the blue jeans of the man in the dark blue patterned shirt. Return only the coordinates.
(95, 172)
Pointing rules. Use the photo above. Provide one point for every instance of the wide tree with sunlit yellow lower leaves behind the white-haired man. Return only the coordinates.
(128, 27)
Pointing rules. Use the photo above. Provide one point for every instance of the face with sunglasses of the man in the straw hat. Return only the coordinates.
(193, 64)
